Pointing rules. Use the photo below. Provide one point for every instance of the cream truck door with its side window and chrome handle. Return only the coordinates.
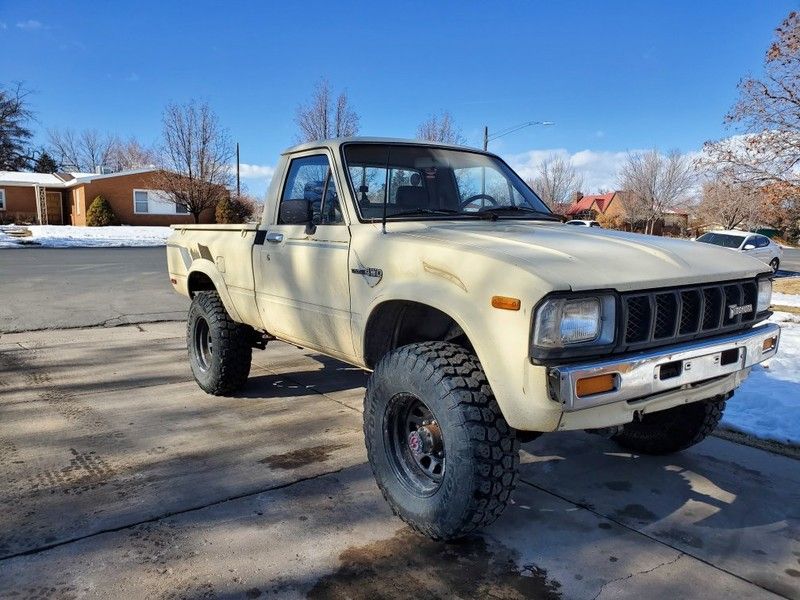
(301, 271)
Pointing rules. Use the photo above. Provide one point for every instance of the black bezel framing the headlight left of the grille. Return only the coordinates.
(604, 341)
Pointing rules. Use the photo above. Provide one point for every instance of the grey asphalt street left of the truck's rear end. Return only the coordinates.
(81, 287)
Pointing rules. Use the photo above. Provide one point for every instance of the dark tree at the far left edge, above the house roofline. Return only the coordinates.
(14, 131)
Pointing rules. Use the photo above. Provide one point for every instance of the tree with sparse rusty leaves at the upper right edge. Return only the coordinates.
(768, 110)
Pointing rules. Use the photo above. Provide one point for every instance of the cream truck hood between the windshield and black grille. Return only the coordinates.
(578, 258)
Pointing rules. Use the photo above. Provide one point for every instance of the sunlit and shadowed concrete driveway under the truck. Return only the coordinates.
(122, 479)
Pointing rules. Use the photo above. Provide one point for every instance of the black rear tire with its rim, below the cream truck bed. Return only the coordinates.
(219, 348)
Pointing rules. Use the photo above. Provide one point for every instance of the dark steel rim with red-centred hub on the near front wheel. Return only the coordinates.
(415, 444)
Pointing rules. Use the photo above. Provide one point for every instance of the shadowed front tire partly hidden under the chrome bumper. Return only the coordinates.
(673, 429)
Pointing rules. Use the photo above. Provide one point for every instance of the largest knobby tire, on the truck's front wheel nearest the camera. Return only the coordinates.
(445, 385)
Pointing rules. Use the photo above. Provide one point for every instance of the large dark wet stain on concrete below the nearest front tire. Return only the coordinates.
(411, 566)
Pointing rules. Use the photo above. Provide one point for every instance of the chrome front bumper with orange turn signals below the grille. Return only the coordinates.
(652, 372)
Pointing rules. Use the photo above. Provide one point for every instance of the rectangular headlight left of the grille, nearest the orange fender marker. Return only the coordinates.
(564, 322)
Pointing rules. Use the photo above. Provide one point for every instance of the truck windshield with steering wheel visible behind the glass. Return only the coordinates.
(426, 182)
